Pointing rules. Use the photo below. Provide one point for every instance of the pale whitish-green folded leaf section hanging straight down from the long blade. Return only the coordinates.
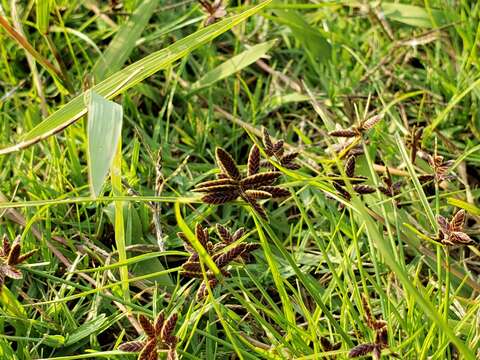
(104, 130)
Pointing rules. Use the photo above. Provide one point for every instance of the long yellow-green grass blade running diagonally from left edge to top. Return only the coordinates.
(129, 77)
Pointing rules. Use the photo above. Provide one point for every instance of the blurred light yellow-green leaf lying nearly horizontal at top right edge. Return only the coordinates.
(413, 15)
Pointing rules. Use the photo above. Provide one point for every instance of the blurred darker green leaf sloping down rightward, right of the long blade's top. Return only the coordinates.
(310, 37)
